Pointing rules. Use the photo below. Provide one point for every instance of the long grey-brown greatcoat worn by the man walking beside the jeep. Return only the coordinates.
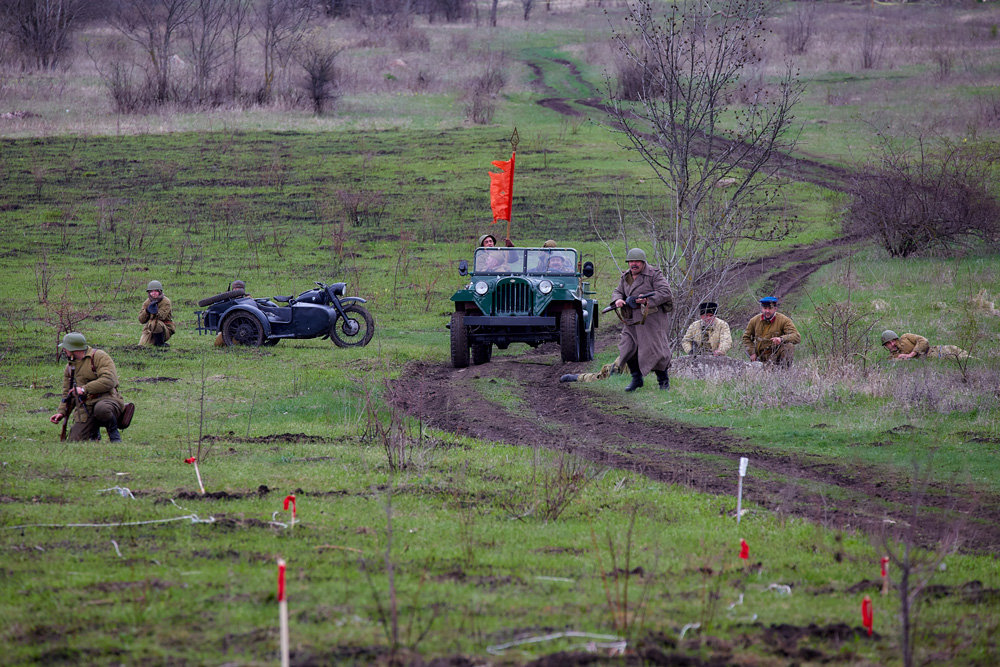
(646, 329)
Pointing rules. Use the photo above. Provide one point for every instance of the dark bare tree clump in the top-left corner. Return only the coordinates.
(41, 29)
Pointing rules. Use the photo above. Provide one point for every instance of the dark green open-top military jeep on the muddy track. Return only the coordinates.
(523, 295)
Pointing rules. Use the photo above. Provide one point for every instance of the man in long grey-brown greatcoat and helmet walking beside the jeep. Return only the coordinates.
(643, 298)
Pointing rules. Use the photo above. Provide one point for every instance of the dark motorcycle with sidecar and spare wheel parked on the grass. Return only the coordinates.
(244, 320)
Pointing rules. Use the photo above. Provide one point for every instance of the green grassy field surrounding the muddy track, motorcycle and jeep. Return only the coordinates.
(468, 548)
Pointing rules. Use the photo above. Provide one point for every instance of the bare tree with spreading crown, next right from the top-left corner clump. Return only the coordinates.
(153, 25)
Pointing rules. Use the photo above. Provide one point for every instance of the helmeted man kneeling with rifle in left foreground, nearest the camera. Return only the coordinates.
(90, 387)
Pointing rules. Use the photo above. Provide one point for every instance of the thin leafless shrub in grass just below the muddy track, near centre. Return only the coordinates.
(556, 480)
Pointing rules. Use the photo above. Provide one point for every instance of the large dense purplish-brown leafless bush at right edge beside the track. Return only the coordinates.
(925, 195)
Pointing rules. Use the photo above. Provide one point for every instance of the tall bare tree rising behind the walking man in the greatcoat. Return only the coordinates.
(711, 132)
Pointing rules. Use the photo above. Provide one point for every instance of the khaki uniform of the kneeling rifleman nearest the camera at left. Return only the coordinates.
(102, 404)
